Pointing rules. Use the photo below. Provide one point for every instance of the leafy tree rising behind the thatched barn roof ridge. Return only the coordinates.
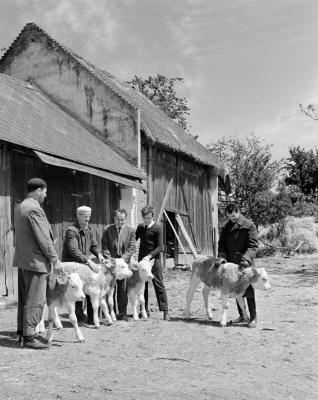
(161, 91)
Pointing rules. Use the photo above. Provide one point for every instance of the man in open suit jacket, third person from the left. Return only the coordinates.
(119, 241)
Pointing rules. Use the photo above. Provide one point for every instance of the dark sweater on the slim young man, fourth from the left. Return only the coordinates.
(150, 241)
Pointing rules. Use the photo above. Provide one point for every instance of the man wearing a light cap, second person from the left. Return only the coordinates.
(79, 243)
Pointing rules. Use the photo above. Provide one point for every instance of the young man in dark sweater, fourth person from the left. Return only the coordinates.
(151, 245)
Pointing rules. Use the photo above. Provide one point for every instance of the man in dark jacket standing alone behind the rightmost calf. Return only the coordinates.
(238, 244)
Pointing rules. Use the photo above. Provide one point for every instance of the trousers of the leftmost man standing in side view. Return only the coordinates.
(31, 301)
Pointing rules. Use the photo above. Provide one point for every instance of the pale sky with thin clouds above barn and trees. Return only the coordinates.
(246, 64)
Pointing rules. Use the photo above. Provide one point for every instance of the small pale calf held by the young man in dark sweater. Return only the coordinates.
(136, 285)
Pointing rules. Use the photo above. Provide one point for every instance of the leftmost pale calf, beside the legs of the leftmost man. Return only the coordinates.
(63, 291)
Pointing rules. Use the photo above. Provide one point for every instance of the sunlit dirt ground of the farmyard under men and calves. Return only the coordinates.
(194, 359)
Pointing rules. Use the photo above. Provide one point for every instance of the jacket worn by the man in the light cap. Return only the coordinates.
(79, 244)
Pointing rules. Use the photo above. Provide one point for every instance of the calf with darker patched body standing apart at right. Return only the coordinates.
(229, 278)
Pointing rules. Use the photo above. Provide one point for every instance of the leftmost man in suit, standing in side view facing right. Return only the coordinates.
(34, 255)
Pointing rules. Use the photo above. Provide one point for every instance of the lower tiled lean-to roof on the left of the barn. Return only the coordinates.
(29, 119)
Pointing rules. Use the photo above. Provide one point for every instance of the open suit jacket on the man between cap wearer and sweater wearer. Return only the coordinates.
(127, 242)
